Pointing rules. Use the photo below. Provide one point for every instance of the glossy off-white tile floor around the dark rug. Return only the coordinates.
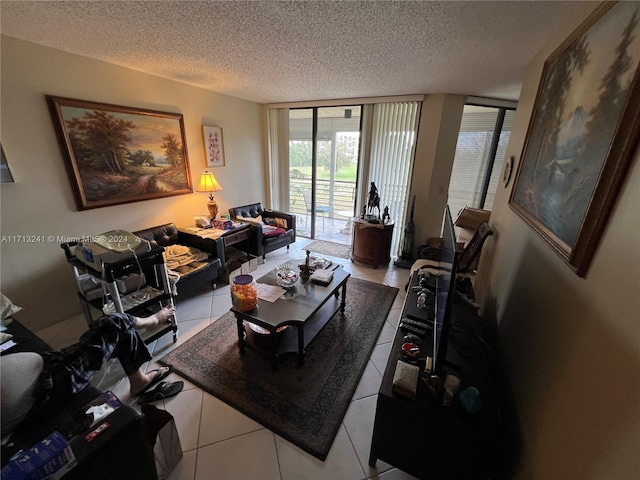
(221, 443)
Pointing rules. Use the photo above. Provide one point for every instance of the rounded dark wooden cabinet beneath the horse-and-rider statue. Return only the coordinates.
(371, 242)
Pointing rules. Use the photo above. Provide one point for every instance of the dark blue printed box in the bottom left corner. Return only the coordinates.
(50, 459)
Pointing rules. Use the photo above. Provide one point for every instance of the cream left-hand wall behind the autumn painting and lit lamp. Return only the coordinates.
(36, 276)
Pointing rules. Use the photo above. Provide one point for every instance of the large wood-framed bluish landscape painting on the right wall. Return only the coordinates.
(582, 133)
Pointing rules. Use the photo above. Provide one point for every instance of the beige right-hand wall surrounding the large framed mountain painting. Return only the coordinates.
(572, 344)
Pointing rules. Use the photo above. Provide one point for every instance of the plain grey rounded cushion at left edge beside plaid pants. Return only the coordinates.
(19, 373)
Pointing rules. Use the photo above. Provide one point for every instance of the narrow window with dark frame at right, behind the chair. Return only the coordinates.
(482, 141)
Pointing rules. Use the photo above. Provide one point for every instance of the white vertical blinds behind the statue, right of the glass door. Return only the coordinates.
(393, 139)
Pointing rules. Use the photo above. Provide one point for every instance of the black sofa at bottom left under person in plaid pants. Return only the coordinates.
(123, 450)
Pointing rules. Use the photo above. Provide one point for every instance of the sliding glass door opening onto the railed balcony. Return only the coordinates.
(324, 146)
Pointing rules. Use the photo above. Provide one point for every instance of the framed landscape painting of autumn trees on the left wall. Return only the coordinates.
(118, 154)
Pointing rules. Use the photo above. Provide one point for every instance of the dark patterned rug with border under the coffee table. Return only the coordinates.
(304, 405)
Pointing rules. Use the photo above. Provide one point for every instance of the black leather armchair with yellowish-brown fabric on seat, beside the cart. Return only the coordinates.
(203, 269)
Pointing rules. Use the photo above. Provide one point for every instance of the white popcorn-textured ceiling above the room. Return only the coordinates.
(273, 51)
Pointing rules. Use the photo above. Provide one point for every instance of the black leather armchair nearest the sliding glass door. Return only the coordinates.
(271, 229)
